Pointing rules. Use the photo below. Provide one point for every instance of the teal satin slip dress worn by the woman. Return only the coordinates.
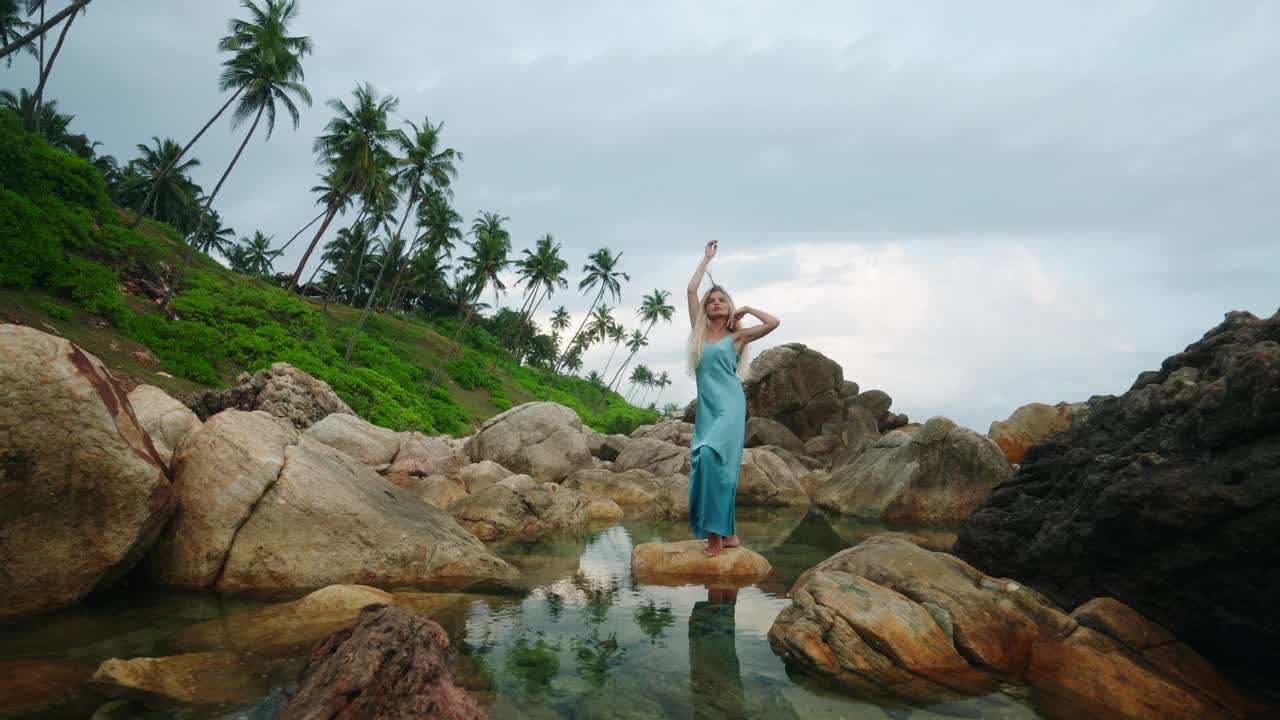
(716, 452)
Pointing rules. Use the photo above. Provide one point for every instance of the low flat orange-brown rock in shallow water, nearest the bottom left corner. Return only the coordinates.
(200, 678)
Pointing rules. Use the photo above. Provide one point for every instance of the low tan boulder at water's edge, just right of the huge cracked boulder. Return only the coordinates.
(522, 505)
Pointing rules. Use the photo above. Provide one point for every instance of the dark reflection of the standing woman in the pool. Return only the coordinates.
(715, 678)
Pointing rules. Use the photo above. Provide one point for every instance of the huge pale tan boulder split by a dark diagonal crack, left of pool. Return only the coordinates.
(258, 499)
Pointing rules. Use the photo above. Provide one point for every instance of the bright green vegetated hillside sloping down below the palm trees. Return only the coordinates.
(70, 265)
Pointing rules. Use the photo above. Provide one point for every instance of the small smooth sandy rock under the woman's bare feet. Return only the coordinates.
(661, 562)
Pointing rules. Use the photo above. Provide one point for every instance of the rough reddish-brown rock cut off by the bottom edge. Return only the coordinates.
(391, 664)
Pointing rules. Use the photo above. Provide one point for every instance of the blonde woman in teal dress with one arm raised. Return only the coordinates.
(717, 349)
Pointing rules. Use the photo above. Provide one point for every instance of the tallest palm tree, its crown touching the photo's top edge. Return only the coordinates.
(267, 65)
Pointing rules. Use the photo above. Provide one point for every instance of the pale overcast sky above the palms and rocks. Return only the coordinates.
(970, 206)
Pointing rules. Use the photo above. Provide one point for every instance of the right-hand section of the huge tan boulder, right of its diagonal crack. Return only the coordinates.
(324, 499)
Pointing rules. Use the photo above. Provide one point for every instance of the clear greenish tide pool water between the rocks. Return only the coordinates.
(574, 636)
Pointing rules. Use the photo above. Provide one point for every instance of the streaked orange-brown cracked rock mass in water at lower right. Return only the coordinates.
(888, 619)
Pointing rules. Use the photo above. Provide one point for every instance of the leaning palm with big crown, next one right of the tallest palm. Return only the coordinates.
(354, 148)
